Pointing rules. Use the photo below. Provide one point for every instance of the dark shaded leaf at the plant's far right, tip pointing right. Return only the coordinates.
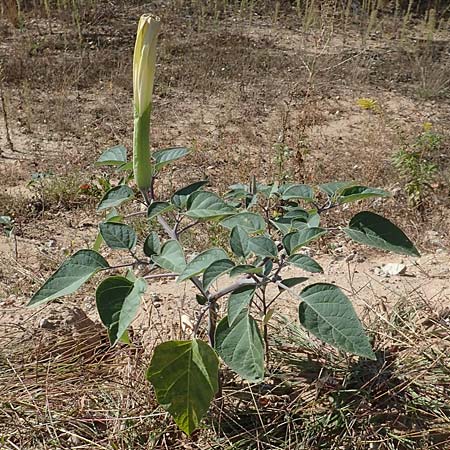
(376, 231)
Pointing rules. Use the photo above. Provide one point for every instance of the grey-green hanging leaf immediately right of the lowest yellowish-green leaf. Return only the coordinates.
(241, 346)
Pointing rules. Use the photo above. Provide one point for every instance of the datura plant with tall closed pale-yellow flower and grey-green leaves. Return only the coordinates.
(238, 284)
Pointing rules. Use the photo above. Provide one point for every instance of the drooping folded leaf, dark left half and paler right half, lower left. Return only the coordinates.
(118, 300)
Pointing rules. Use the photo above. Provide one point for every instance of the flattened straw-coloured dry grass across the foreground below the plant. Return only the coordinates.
(72, 391)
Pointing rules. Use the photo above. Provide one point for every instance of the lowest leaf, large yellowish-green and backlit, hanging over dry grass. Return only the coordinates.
(184, 375)
